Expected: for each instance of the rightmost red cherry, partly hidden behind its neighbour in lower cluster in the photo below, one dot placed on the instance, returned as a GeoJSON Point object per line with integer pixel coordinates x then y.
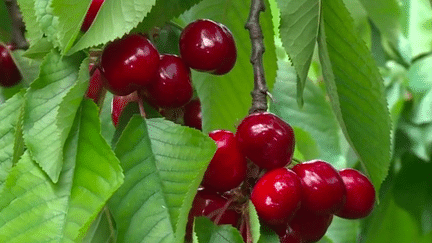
{"type": "Point", "coordinates": [360, 195]}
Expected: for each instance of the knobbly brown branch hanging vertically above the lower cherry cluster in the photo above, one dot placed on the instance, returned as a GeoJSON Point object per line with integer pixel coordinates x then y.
{"type": "Point", "coordinates": [259, 94]}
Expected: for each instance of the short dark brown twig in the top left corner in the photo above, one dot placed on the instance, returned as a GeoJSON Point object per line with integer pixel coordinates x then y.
{"type": "Point", "coordinates": [18, 27]}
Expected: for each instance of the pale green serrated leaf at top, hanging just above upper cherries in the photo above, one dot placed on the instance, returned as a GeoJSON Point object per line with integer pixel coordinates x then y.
{"type": "Point", "coordinates": [115, 18]}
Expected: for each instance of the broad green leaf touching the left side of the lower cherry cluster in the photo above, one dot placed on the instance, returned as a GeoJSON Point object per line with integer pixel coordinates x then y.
{"type": "Point", "coordinates": [164, 164]}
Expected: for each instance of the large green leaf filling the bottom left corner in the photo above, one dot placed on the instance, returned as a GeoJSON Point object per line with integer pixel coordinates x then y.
{"type": "Point", "coordinates": [33, 209]}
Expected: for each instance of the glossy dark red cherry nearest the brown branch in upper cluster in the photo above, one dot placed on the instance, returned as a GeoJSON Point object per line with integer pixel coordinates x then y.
{"type": "Point", "coordinates": [208, 46]}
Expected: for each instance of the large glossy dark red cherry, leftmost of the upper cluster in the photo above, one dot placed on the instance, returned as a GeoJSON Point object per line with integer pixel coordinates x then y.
{"type": "Point", "coordinates": [129, 64]}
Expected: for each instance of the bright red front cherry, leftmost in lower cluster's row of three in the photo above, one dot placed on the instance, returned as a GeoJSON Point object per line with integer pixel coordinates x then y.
{"type": "Point", "coordinates": [277, 196]}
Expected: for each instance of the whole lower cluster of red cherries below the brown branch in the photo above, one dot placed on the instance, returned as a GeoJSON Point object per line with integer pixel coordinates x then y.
{"type": "Point", "coordinates": [298, 202]}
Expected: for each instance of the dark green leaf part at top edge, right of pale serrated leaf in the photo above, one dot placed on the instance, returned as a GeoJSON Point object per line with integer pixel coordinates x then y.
{"type": "Point", "coordinates": [163, 11]}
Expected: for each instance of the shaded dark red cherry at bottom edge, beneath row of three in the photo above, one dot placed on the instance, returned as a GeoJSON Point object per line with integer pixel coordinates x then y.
{"type": "Point", "coordinates": [311, 227]}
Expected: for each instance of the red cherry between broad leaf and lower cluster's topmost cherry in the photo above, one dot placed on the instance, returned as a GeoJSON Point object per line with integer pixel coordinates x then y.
{"type": "Point", "coordinates": [227, 169]}
